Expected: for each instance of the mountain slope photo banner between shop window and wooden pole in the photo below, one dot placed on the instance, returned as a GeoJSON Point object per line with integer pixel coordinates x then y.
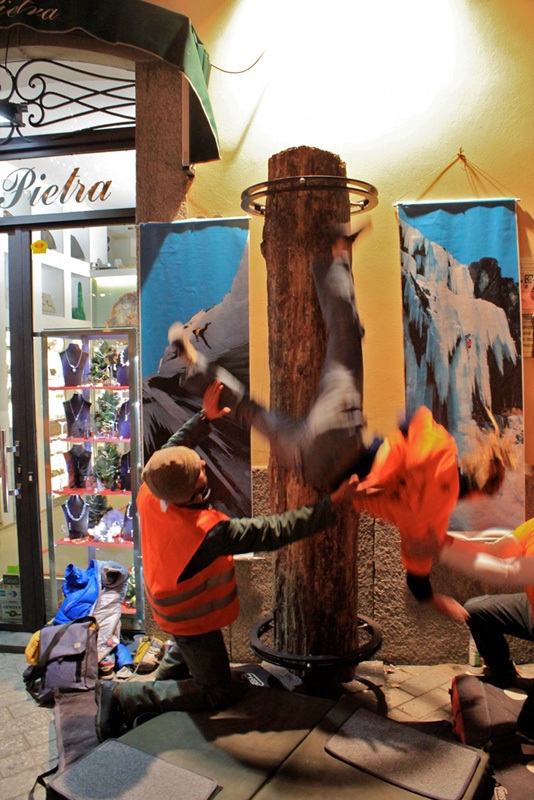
{"type": "Point", "coordinates": [196, 272]}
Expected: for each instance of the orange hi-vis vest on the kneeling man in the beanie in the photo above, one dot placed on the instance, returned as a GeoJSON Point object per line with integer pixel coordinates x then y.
{"type": "Point", "coordinates": [169, 539]}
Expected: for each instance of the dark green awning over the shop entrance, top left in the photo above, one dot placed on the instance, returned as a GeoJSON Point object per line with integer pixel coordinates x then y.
{"type": "Point", "coordinates": [143, 26]}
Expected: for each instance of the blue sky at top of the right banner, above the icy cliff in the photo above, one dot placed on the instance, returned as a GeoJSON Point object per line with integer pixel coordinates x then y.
{"type": "Point", "coordinates": [469, 230]}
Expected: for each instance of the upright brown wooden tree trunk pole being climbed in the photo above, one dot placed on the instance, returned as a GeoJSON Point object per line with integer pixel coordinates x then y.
{"type": "Point", "coordinates": [316, 592]}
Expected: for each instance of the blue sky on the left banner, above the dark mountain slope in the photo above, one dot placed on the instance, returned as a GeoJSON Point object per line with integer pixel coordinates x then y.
{"type": "Point", "coordinates": [185, 266]}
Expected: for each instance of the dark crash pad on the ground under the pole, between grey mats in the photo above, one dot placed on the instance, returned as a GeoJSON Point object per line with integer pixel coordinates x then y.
{"type": "Point", "coordinates": [271, 744]}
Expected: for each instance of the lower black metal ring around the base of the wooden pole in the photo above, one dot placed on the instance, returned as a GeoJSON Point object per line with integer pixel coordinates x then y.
{"type": "Point", "coordinates": [309, 662]}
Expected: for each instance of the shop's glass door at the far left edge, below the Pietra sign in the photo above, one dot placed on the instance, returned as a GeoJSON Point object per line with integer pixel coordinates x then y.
{"type": "Point", "coordinates": [22, 604]}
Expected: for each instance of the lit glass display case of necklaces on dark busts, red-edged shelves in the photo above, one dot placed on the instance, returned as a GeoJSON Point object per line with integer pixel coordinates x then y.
{"type": "Point", "coordinates": [92, 433]}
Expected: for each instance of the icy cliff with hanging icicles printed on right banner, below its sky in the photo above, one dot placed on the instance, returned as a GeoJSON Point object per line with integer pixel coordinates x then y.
{"type": "Point", "coordinates": [462, 354]}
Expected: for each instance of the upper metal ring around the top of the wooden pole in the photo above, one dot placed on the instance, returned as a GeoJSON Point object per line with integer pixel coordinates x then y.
{"type": "Point", "coordinates": [253, 199]}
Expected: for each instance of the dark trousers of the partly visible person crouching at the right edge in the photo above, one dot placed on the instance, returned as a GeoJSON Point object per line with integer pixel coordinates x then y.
{"type": "Point", "coordinates": [492, 618]}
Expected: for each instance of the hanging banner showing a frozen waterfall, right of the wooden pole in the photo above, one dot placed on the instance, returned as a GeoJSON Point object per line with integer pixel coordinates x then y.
{"type": "Point", "coordinates": [462, 333]}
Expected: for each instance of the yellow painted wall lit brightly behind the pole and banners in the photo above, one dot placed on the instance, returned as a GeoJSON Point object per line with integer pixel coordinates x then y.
{"type": "Point", "coordinates": [395, 88]}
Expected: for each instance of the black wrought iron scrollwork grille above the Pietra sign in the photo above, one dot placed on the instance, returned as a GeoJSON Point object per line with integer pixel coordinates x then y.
{"type": "Point", "coordinates": [58, 97]}
